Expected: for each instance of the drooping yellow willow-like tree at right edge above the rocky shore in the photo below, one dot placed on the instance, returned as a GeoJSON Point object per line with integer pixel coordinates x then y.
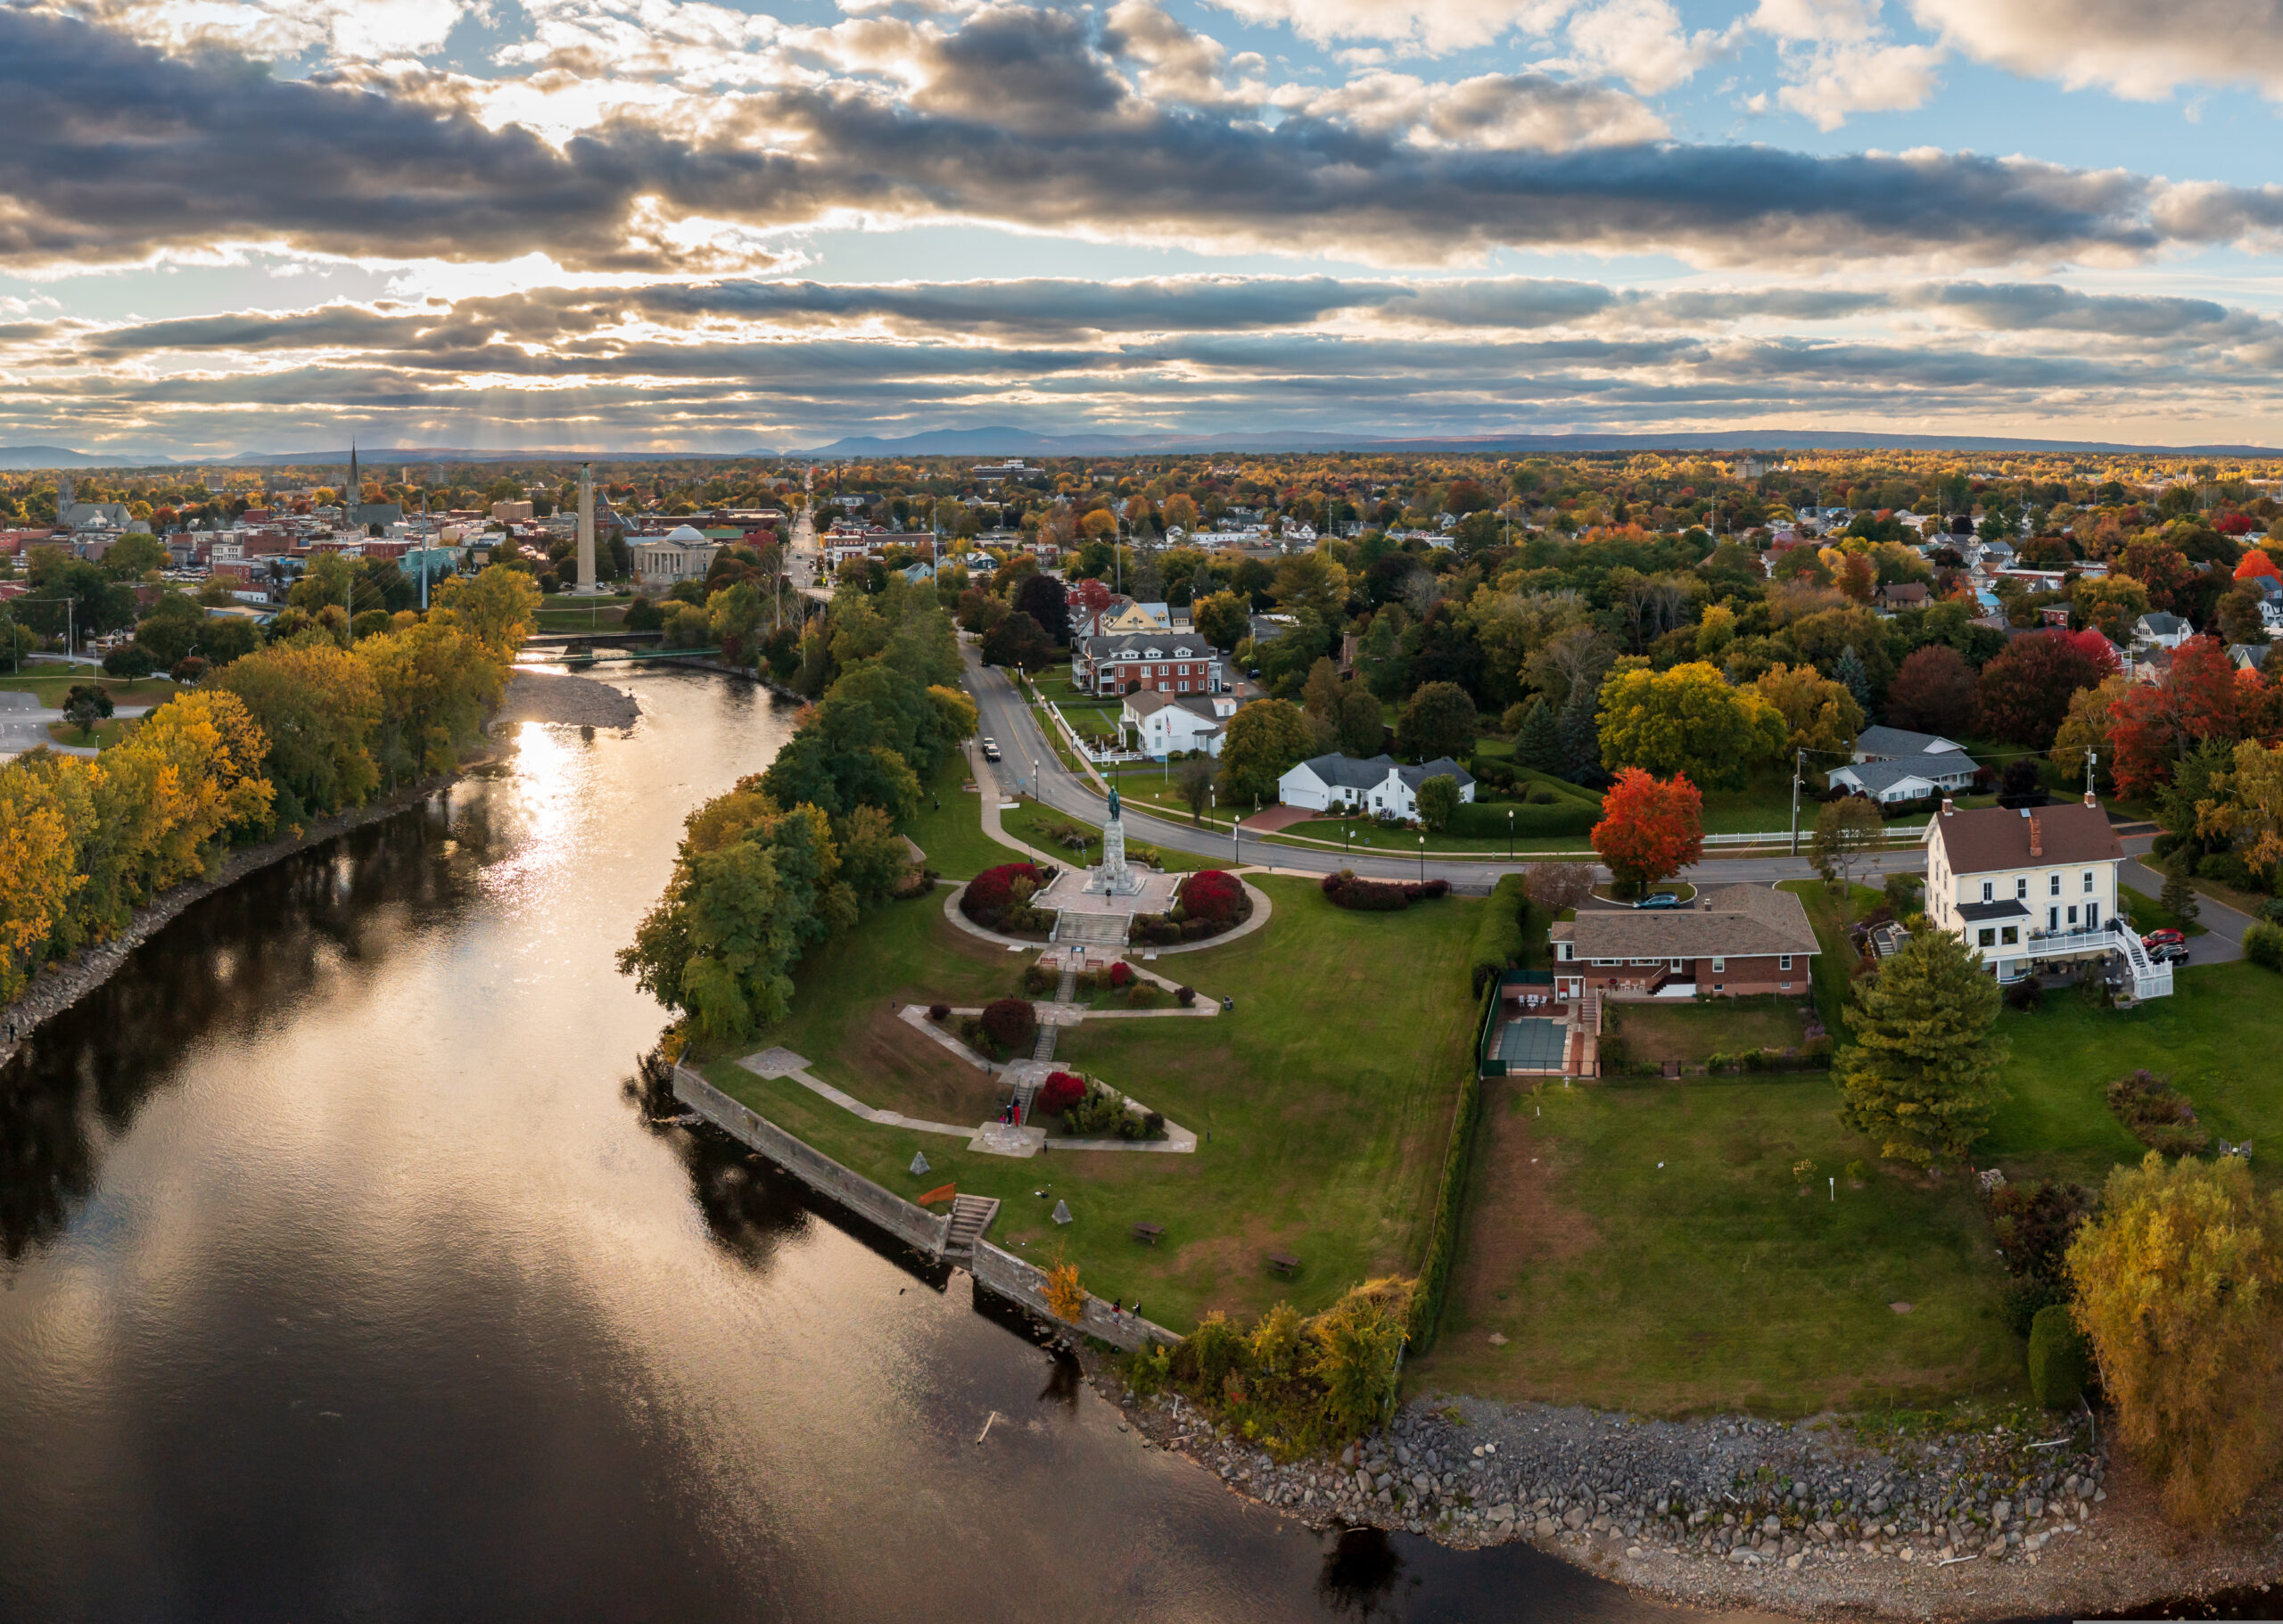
{"type": "Point", "coordinates": [2179, 1287]}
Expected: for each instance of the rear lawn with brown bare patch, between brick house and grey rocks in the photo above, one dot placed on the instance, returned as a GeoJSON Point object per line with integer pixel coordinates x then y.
{"type": "Point", "coordinates": [1711, 1283]}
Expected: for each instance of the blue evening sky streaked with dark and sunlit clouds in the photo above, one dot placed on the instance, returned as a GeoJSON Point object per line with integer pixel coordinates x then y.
{"type": "Point", "coordinates": [665, 225]}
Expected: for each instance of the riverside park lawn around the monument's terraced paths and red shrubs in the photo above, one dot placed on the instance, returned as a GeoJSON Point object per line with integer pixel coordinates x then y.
{"type": "Point", "coordinates": [1330, 1114]}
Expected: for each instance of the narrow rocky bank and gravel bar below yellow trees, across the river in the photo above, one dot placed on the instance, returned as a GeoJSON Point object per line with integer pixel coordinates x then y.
{"type": "Point", "coordinates": [531, 698]}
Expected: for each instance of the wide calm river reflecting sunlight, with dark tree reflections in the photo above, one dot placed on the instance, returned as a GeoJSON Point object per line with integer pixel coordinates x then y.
{"type": "Point", "coordinates": [346, 1280]}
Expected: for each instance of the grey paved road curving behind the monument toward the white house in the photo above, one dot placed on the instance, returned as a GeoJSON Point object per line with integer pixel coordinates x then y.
{"type": "Point", "coordinates": [1008, 721]}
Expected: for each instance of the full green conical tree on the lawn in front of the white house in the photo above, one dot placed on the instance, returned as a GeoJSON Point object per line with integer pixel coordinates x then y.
{"type": "Point", "coordinates": [1921, 1077]}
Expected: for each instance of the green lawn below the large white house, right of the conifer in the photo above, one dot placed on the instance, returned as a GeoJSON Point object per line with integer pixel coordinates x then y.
{"type": "Point", "coordinates": [2218, 1038]}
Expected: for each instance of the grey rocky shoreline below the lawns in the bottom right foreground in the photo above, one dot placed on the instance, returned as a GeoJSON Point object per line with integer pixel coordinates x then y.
{"type": "Point", "coordinates": [1812, 1518]}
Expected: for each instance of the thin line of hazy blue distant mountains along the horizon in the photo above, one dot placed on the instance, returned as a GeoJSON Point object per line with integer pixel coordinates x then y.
{"type": "Point", "coordinates": [1017, 442]}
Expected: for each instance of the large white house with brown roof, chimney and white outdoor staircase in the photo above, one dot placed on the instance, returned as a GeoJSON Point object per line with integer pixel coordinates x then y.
{"type": "Point", "coordinates": [2035, 885]}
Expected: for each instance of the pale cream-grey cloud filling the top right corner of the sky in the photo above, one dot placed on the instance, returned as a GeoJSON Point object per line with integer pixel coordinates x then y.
{"type": "Point", "coordinates": [2138, 49]}
